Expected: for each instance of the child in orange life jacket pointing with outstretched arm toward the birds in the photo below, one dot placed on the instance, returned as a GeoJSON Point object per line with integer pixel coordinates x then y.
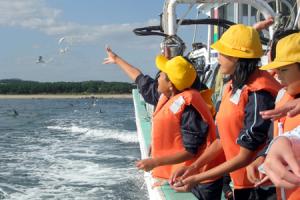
{"type": "Point", "coordinates": [182, 125]}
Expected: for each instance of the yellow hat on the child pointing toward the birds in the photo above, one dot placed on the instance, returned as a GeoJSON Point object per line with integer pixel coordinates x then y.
{"type": "Point", "coordinates": [180, 72]}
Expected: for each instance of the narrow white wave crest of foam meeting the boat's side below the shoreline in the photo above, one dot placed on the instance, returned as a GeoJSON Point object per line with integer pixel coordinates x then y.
{"type": "Point", "coordinates": [121, 135]}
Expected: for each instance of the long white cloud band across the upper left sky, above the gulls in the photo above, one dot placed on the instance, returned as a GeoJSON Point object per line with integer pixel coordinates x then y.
{"type": "Point", "coordinates": [34, 14]}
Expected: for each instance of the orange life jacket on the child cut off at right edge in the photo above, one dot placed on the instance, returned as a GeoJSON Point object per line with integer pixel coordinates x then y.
{"type": "Point", "coordinates": [281, 126]}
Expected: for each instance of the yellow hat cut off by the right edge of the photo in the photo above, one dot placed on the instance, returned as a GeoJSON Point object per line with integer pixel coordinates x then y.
{"type": "Point", "coordinates": [287, 52]}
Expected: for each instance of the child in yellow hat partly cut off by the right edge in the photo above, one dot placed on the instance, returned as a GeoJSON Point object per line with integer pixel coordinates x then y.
{"type": "Point", "coordinates": [287, 64]}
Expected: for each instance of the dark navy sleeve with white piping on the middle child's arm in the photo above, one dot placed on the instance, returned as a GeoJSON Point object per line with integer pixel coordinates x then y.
{"type": "Point", "coordinates": [255, 131]}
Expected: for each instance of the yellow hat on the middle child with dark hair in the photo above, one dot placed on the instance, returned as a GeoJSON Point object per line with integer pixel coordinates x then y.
{"type": "Point", "coordinates": [239, 41]}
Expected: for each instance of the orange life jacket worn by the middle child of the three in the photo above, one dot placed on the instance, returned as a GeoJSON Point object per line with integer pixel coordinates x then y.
{"type": "Point", "coordinates": [230, 119]}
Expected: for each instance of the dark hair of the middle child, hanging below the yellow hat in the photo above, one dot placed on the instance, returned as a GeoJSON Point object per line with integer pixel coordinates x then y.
{"type": "Point", "coordinates": [244, 69]}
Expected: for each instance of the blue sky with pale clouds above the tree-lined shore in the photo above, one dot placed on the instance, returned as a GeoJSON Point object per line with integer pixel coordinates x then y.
{"type": "Point", "coordinates": [33, 28]}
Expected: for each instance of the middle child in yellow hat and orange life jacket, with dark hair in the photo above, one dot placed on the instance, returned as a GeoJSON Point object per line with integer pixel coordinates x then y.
{"type": "Point", "coordinates": [241, 129]}
